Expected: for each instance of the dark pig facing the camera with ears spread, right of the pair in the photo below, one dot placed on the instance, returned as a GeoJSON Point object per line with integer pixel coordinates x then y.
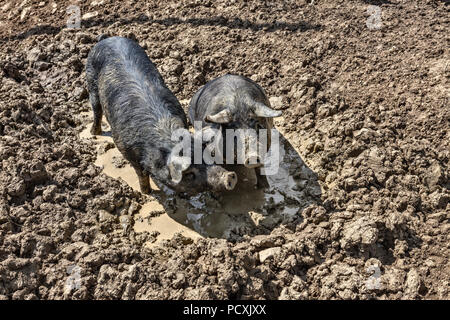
{"type": "Point", "coordinates": [235, 102]}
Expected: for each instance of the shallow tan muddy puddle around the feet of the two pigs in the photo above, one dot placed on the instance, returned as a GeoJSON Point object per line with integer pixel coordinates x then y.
{"type": "Point", "coordinates": [228, 215]}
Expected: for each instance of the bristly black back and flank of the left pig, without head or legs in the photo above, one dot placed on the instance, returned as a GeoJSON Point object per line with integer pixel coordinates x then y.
{"type": "Point", "coordinates": [138, 105]}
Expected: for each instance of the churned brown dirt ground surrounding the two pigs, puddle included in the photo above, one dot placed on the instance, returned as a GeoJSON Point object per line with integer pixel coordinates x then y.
{"type": "Point", "coordinates": [360, 209]}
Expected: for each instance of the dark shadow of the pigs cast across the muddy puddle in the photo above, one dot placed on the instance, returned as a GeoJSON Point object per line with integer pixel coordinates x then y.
{"type": "Point", "coordinates": [246, 211]}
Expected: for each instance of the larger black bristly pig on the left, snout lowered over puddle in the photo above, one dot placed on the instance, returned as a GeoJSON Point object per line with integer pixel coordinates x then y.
{"type": "Point", "coordinates": [143, 113]}
